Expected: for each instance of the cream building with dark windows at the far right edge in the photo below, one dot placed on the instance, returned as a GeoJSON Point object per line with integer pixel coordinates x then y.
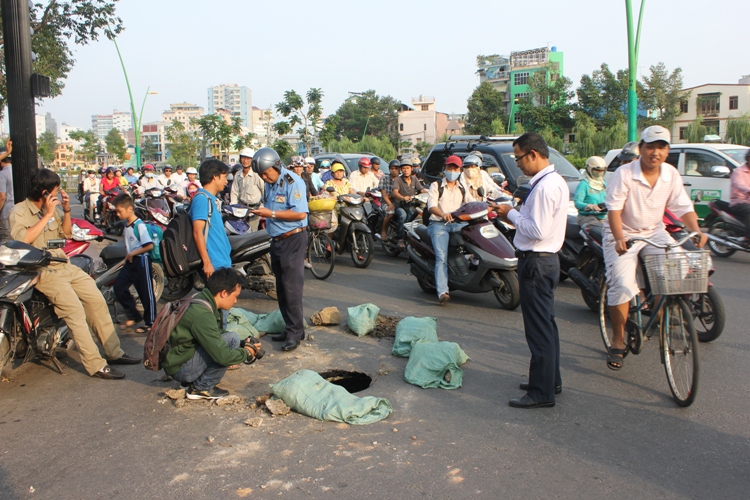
{"type": "Point", "coordinates": [715, 103]}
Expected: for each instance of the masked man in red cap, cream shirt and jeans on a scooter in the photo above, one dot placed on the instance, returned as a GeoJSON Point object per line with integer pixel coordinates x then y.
{"type": "Point", "coordinates": [444, 198]}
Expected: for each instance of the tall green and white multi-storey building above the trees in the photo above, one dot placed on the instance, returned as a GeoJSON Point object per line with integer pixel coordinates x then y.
{"type": "Point", "coordinates": [511, 74]}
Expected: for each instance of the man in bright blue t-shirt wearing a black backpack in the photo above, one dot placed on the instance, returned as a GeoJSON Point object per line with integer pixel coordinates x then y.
{"type": "Point", "coordinates": [205, 211]}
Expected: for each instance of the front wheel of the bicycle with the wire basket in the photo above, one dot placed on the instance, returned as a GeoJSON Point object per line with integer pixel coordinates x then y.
{"type": "Point", "coordinates": [680, 351]}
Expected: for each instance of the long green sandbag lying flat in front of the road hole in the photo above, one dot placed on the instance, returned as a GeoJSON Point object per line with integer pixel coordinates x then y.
{"type": "Point", "coordinates": [308, 393]}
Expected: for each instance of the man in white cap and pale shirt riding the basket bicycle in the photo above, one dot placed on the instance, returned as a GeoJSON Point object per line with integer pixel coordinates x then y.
{"type": "Point", "coordinates": [637, 196]}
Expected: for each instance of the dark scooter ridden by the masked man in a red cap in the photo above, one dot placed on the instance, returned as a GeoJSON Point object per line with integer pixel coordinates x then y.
{"type": "Point", "coordinates": [480, 259]}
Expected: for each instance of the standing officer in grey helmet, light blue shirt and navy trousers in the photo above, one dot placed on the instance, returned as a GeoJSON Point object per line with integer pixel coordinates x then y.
{"type": "Point", "coordinates": [285, 210]}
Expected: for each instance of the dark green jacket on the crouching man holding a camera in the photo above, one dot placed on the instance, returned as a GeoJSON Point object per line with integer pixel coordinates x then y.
{"type": "Point", "coordinates": [200, 327]}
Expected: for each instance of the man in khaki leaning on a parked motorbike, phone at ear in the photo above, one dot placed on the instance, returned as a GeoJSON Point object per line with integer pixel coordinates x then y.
{"type": "Point", "coordinates": [39, 219]}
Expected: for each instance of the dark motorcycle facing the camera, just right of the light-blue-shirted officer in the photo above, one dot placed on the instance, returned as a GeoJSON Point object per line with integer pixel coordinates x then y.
{"type": "Point", "coordinates": [352, 234]}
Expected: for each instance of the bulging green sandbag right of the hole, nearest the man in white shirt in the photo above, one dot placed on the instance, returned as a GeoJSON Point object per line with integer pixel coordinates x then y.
{"type": "Point", "coordinates": [430, 361]}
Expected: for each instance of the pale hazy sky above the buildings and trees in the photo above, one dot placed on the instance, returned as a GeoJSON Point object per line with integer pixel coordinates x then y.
{"type": "Point", "coordinates": [402, 48]}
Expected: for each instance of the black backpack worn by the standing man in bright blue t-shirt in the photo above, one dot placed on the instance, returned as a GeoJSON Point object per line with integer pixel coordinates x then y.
{"type": "Point", "coordinates": [178, 250]}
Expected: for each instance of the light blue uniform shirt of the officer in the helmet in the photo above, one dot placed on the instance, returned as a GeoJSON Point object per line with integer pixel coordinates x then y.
{"type": "Point", "coordinates": [287, 193]}
